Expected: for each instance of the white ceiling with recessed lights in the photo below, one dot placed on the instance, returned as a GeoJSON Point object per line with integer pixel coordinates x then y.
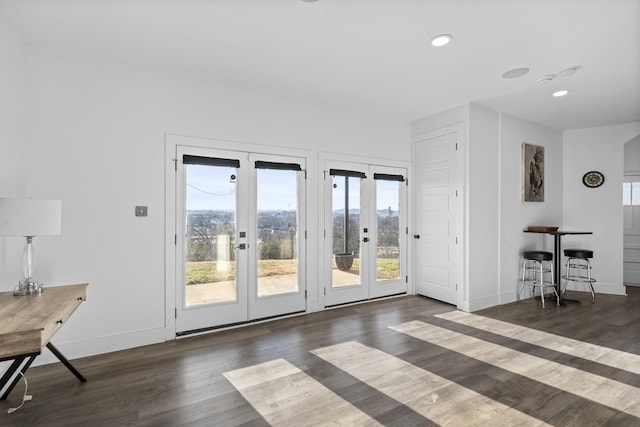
{"type": "Point", "coordinates": [371, 56]}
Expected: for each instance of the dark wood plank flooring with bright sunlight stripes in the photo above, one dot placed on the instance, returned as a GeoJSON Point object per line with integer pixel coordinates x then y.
{"type": "Point", "coordinates": [407, 361]}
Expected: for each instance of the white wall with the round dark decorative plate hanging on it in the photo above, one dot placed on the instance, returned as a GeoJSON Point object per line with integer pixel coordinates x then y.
{"type": "Point", "coordinates": [600, 209]}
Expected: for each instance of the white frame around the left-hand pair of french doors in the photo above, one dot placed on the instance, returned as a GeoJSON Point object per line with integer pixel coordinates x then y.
{"type": "Point", "coordinates": [172, 141]}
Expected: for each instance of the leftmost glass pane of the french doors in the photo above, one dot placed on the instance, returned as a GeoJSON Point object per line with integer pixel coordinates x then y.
{"type": "Point", "coordinates": [210, 201]}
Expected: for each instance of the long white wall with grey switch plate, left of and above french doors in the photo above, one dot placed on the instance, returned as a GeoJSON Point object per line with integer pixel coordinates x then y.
{"type": "Point", "coordinates": [96, 140]}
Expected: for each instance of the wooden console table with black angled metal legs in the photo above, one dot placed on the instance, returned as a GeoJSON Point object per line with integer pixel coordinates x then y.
{"type": "Point", "coordinates": [27, 323]}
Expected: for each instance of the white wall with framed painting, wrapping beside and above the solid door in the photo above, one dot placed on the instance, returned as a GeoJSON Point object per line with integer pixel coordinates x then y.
{"type": "Point", "coordinates": [495, 213]}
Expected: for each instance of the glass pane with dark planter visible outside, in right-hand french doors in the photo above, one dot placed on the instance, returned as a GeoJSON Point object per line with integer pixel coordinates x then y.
{"type": "Point", "coordinates": [346, 225]}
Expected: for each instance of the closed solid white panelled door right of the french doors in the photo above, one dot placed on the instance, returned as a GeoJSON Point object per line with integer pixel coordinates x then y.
{"type": "Point", "coordinates": [438, 217]}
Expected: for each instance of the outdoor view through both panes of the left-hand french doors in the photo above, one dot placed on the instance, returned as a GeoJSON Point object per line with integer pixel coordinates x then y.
{"type": "Point", "coordinates": [210, 270]}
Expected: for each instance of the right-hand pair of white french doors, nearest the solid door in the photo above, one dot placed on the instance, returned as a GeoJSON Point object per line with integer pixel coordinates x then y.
{"type": "Point", "coordinates": [365, 232]}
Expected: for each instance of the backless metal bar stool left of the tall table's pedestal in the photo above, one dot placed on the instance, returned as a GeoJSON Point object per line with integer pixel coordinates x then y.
{"type": "Point", "coordinates": [537, 272]}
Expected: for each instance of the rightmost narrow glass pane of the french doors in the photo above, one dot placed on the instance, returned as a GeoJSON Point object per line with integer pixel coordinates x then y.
{"type": "Point", "coordinates": [388, 229]}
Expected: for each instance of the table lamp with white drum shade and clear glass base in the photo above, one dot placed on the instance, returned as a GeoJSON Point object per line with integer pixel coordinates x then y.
{"type": "Point", "coordinates": [29, 218]}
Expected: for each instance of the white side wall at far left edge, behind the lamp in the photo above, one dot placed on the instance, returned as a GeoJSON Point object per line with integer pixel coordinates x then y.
{"type": "Point", "coordinates": [13, 168]}
